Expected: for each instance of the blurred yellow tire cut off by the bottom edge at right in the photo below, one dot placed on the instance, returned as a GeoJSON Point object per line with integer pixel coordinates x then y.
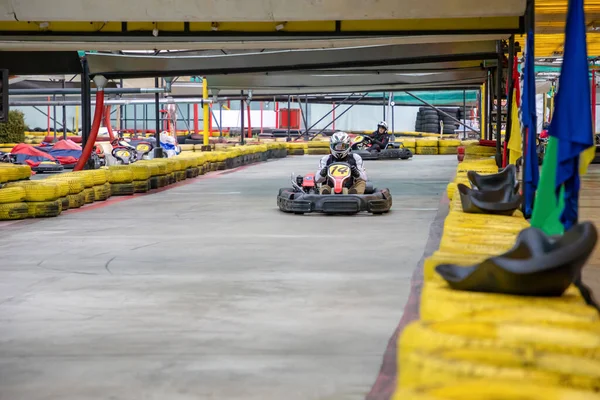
{"type": "Point", "coordinates": [487, 389]}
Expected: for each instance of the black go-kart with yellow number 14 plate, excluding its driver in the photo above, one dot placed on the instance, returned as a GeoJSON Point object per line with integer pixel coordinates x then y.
{"type": "Point", "coordinates": [305, 197]}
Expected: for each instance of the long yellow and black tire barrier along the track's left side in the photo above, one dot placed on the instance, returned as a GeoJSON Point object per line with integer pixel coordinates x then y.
{"type": "Point", "coordinates": [22, 198]}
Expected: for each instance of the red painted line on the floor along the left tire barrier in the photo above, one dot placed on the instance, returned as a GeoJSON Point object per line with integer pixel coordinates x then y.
{"type": "Point", "coordinates": [115, 200]}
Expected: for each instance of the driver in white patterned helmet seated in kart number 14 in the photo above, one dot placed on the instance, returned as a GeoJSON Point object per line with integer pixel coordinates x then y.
{"type": "Point", "coordinates": [340, 152]}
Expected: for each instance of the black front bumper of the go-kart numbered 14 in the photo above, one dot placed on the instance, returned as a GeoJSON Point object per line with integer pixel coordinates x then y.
{"type": "Point", "coordinates": [296, 202]}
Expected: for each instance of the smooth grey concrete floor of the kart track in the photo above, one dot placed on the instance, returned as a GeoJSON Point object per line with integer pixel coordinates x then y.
{"type": "Point", "coordinates": [207, 291]}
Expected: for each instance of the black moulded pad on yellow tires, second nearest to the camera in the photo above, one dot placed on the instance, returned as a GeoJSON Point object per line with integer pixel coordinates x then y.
{"type": "Point", "coordinates": [503, 201]}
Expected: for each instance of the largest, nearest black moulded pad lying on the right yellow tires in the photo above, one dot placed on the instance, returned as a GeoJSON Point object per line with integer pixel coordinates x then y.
{"type": "Point", "coordinates": [537, 265]}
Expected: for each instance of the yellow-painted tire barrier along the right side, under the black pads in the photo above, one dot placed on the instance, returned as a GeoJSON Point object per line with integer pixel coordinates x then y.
{"type": "Point", "coordinates": [478, 345]}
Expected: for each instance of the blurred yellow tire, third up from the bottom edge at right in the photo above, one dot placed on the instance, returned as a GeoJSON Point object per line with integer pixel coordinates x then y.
{"type": "Point", "coordinates": [583, 341]}
